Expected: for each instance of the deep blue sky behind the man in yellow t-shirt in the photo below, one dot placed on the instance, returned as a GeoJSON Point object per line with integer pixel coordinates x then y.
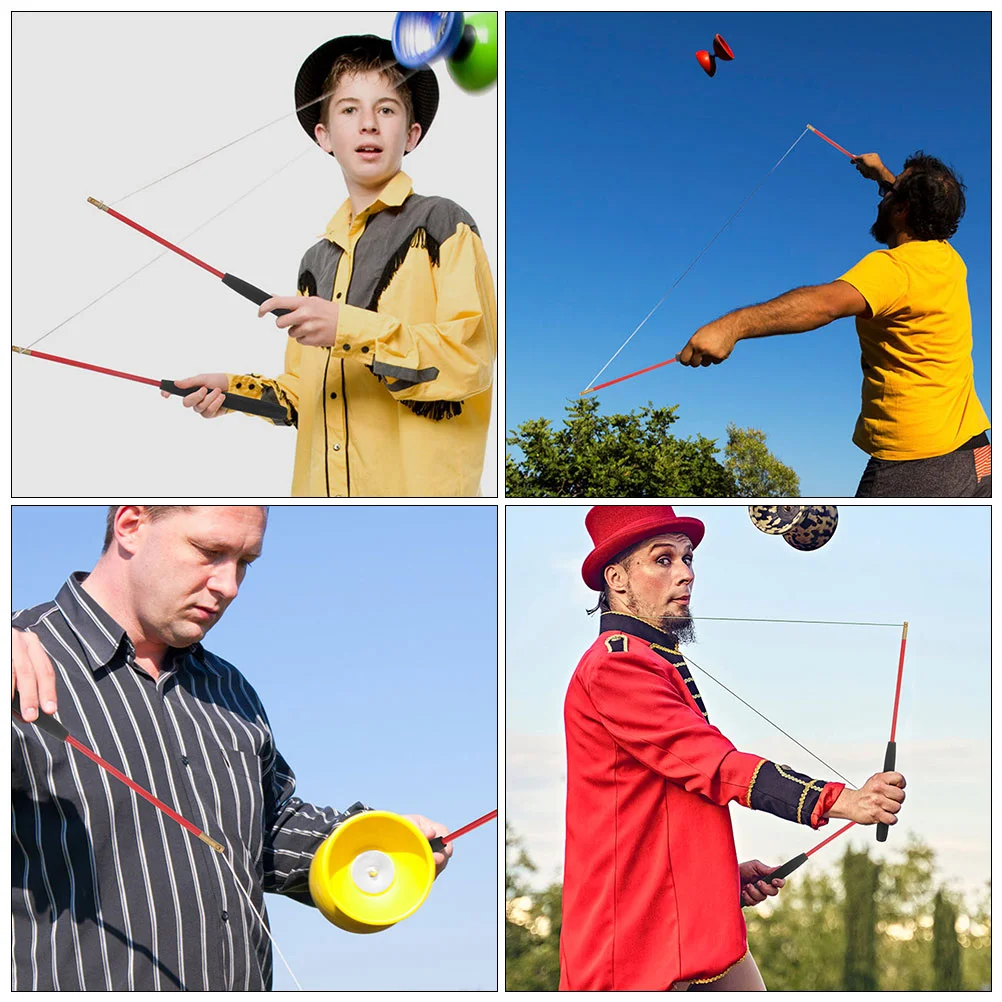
{"type": "Point", "coordinates": [625, 159]}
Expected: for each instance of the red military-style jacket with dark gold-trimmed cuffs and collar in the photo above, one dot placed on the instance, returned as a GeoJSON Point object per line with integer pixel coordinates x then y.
{"type": "Point", "coordinates": [652, 891]}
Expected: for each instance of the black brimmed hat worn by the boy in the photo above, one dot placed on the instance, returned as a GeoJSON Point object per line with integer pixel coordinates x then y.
{"type": "Point", "coordinates": [314, 73]}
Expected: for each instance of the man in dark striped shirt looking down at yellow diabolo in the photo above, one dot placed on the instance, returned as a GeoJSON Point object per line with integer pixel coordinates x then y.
{"type": "Point", "coordinates": [108, 893]}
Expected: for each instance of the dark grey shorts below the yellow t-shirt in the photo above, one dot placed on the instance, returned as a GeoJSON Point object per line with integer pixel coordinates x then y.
{"type": "Point", "coordinates": [964, 473]}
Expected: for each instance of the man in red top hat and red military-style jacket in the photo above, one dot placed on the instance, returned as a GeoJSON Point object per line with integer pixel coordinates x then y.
{"type": "Point", "coordinates": [653, 889]}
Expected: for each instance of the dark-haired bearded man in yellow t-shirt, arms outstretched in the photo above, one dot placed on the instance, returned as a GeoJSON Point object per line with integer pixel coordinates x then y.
{"type": "Point", "coordinates": [921, 421]}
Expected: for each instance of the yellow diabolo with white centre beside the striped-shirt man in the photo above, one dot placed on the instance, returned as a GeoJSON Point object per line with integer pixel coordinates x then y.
{"type": "Point", "coordinates": [372, 872]}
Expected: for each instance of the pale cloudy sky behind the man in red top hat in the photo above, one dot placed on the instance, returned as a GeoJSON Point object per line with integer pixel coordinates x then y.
{"type": "Point", "coordinates": [832, 688]}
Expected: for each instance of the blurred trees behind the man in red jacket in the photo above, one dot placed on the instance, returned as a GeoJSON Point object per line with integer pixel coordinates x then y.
{"type": "Point", "coordinates": [865, 925]}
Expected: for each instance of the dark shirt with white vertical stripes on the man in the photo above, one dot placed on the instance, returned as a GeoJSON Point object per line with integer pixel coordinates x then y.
{"type": "Point", "coordinates": [108, 892]}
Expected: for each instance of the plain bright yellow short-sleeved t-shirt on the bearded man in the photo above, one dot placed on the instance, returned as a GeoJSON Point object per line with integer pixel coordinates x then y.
{"type": "Point", "coordinates": [918, 374]}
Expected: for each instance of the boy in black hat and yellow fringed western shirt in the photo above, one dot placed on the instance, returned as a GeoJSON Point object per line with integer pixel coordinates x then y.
{"type": "Point", "coordinates": [390, 362]}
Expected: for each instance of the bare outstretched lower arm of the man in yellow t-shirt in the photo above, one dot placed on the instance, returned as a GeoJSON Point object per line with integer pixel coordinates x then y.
{"type": "Point", "coordinates": [800, 310]}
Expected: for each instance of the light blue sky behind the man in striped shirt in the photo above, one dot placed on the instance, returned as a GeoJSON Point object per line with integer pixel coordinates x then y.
{"type": "Point", "coordinates": [347, 607]}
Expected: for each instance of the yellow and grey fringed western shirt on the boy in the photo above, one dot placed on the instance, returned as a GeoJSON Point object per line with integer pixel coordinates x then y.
{"type": "Point", "coordinates": [401, 404]}
